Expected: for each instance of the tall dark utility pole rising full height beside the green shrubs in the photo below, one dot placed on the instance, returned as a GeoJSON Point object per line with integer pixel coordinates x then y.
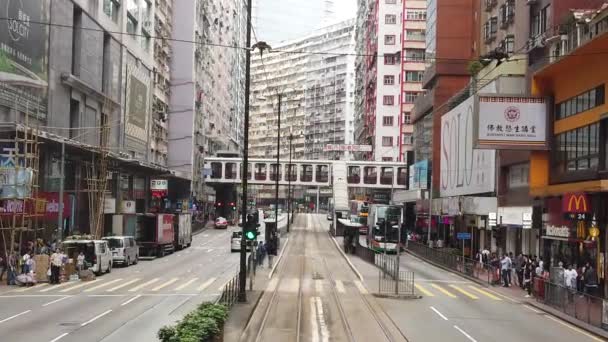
{"type": "Point", "coordinates": [243, 267]}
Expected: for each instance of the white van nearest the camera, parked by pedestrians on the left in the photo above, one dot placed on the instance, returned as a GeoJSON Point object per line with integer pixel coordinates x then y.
{"type": "Point", "coordinates": [97, 255]}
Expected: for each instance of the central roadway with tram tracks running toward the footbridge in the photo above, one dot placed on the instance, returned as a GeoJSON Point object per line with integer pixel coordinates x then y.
{"type": "Point", "coordinates": [315, 296]}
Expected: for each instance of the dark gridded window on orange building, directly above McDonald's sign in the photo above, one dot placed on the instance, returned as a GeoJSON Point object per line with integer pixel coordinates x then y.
{"type": "Point", "coordinates": [578, 149]}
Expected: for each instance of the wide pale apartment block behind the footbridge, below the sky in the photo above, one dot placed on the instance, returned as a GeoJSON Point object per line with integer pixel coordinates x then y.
{"type": "Point", "coordinates": [315, 76]}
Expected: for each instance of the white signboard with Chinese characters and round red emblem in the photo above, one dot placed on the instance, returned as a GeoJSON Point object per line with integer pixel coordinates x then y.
{"type": "Point", "coordinates": [508, 122]}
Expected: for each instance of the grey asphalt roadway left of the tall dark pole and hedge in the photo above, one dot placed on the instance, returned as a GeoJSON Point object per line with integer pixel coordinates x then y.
{"type": "Point", "coordinates": [127, 304]}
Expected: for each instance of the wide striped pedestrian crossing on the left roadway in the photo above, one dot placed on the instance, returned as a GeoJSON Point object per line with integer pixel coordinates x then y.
{"type": "Point", "coordinates": [110, 286]}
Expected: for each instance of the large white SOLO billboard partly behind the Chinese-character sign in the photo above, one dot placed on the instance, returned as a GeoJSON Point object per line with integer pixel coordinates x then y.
{"type": "Point", "coordinates": [464, 170]}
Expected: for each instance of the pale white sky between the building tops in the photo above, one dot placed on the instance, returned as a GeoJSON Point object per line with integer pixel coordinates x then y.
{"type": "Point", "coordinates": [279, 20]}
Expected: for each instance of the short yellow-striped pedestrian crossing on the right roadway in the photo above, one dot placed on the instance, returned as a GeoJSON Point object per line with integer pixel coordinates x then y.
{"type": "Point", "coordinates": [454, 291]}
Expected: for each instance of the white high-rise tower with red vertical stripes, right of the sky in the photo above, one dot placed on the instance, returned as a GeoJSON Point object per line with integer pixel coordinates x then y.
{"type": "Point", "coordinates": [390, 40]}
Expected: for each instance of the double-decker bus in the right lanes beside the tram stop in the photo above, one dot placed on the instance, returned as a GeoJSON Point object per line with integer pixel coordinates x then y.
{"type": "Point", "coordinates": [384, 222]}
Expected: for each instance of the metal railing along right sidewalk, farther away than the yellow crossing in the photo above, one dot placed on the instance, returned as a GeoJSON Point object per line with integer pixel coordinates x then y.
{"type": "Point", "coordinates": [457, 263]}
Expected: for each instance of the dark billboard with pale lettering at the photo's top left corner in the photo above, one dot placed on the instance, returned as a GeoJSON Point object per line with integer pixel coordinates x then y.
{"type": "Point", "coordinates": [24, 55]}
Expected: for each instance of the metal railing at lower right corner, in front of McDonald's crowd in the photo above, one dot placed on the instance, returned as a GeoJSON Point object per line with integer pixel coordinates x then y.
{"type": "Point", "coordinates": [582, 306]}
